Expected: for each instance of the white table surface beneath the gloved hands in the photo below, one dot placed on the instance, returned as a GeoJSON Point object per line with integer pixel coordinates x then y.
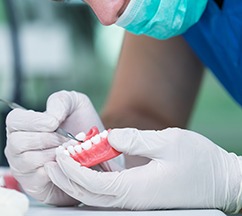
{"type": "Point", "coordinates": [42, 210]}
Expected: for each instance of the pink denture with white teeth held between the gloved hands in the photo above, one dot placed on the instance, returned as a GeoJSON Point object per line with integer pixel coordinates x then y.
{"type": "Point", "coordinates": [93, 150]}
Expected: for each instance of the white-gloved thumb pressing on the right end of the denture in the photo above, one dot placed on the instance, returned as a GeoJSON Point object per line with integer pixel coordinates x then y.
{"type": "Point", "coordinates": [146, 143]}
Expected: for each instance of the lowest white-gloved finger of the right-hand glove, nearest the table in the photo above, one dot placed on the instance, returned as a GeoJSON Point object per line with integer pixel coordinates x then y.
{"type": "Point", "coordinates": [76, 191]}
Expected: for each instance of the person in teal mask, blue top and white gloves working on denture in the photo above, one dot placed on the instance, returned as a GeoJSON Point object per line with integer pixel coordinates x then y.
{"type": "Point", "coordinates": [167, 45]}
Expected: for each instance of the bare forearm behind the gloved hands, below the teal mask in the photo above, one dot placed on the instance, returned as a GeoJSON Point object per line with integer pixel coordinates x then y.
{"type": "Point", "coordinates": [155, 85]}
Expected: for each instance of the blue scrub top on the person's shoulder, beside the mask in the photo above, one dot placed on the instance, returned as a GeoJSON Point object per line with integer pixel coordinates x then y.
{"type": "Point", "coordinates": [217, 41]}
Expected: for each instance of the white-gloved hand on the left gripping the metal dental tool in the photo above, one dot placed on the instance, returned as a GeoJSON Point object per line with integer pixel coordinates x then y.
{"type": "Point", "coordinates": [31, 141]}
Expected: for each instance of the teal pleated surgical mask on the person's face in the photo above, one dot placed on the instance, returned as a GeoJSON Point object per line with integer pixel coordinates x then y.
{"type": "Point", "coordinates": [161, 19]}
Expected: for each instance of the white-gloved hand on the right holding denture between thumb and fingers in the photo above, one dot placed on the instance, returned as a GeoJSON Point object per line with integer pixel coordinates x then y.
{"type": "Point", "coordinates": [186, 171]}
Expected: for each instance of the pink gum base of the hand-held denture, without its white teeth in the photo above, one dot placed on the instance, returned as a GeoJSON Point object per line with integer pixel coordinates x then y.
{"type": "Point", "coordinates": [98, 153]}
